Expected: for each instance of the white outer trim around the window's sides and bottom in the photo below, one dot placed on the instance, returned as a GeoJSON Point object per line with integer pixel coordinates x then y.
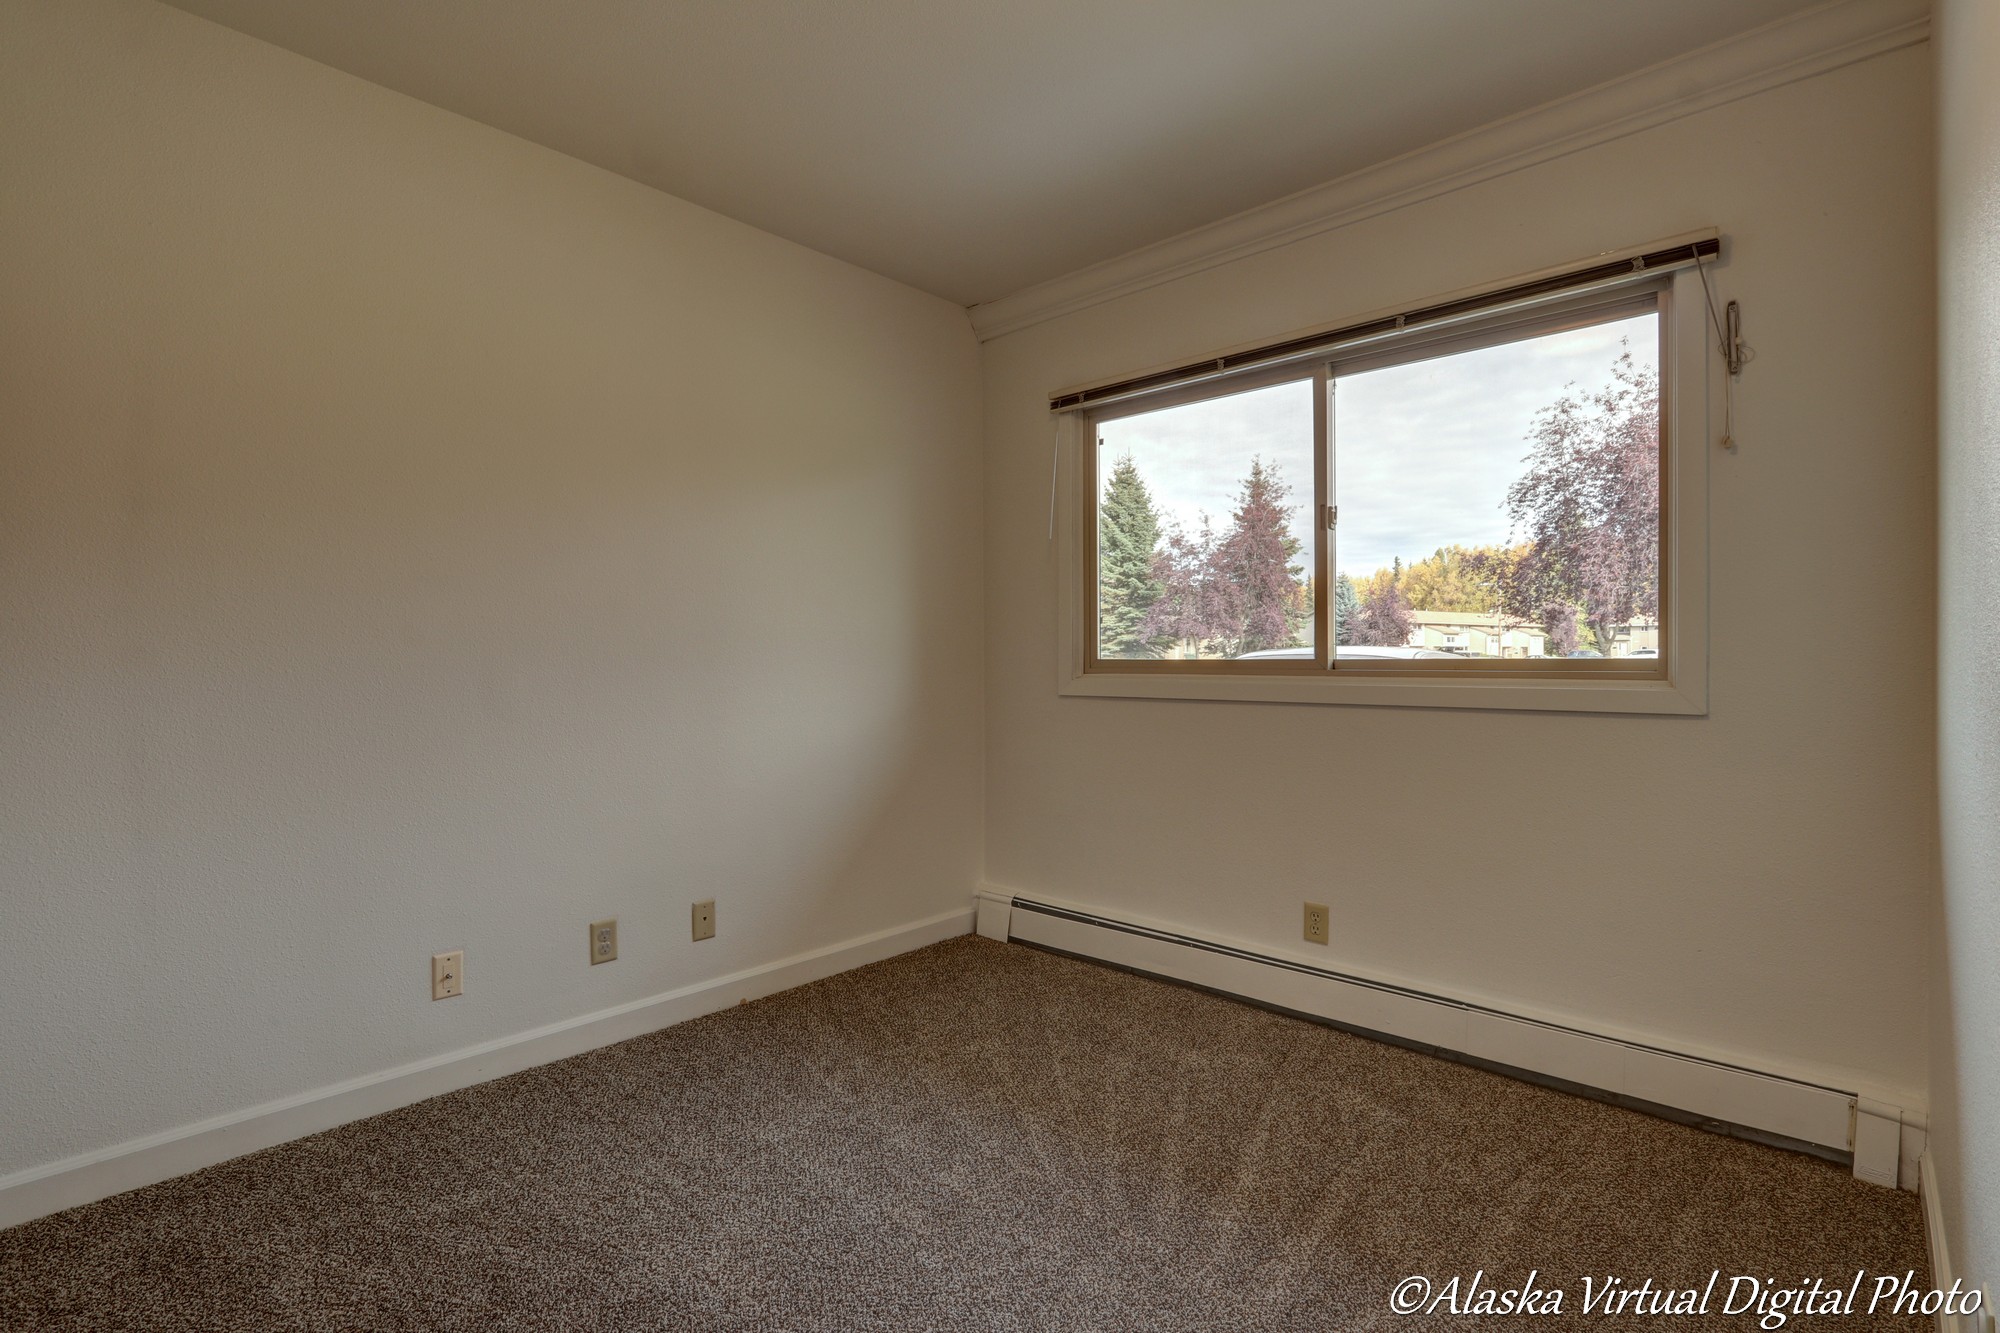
{"type": "Point", "coordinates": [1689, 433]}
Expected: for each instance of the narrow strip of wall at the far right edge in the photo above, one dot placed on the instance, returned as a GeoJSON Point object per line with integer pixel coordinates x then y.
{"type": "Point", "coordinates": [1965, 1006]}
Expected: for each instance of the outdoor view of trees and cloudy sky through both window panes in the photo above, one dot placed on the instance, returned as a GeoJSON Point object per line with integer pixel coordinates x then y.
{"type": "Point", "coordinates": [1497, 503]}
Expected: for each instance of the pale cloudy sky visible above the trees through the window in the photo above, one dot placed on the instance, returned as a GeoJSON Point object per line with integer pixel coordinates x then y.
{"type": "Point", "coordinates": [1423, 451]}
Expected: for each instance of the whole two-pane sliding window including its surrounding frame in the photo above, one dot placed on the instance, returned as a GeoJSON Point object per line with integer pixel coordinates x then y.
{"type": "Point", "coordinates": [1489, 503]}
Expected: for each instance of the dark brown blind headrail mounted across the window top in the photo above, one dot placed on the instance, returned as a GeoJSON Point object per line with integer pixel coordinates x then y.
{"type": "Point", "coordinates": [1295, 349]}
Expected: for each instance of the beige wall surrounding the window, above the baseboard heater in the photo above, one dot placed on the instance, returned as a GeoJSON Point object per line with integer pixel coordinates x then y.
{"type": "Point", "coordinates": [1751, 884]}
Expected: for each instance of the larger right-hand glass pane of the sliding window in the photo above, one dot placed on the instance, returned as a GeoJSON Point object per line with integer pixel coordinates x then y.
{"type": "Point", "coordinates": [1503, 503]}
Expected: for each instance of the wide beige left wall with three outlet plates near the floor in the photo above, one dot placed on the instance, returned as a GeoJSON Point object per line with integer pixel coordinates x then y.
{"type": "Point", "coordinates": [413, 539]}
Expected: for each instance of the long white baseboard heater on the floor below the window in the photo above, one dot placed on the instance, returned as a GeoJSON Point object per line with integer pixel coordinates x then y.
{"type": "Point", "coordinates": [1809, 1118]}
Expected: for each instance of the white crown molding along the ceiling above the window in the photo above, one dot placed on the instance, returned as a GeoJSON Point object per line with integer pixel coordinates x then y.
{"type": "Point", "coordinates": [1787, 51]}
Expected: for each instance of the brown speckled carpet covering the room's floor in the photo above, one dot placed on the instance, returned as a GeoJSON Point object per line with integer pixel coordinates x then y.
{"type": "Point", "coordinates": [967, 1138]}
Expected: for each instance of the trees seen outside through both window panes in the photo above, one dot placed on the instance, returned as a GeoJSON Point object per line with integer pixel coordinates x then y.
{"type": "Point", "coordinates": [1585, 555]}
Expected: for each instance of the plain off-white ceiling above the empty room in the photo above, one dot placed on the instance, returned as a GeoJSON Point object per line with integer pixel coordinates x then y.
{"type": "Point", "coordinates": [977, 147]}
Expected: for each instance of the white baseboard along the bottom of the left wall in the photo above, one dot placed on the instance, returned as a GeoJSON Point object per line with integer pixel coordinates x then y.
{"type": "Point", "coordinates": [175, 1152]}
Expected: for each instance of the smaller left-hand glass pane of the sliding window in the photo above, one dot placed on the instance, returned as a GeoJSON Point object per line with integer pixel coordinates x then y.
{"type": "Point", "coordinates": [1205, 529]}
